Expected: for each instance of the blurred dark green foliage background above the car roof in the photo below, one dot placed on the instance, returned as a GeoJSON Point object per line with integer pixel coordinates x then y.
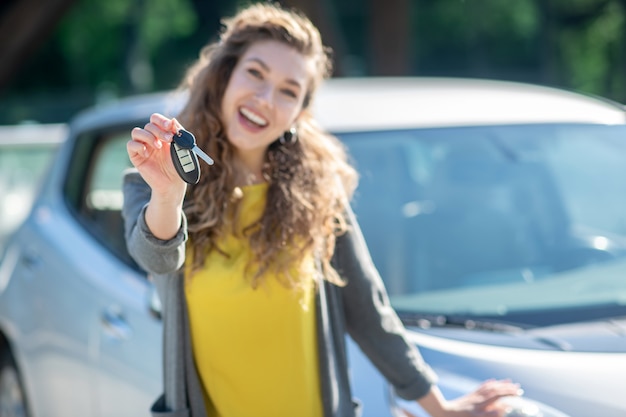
{"type": "Point", "coordinates": [104, 49]}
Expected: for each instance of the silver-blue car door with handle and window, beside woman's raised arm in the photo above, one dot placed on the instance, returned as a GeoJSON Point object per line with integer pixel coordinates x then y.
{"type": "Point", "coordinates": [126, 337]}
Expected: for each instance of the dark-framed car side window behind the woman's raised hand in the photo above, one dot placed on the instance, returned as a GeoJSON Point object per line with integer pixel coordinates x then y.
{"type": "Point", "coordinates": [93, 187]}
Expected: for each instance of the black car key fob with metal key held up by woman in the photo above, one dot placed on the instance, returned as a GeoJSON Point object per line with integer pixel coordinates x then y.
{"type": "Point", "coordinates": [183, 151]}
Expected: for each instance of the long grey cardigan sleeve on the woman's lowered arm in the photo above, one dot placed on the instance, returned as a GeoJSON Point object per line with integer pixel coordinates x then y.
{"type": "Point", "coordinates": [371, 320]}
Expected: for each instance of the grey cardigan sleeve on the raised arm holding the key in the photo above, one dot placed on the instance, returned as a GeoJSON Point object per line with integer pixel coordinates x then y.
{"type": "Point", "coordinates": [154, 255]}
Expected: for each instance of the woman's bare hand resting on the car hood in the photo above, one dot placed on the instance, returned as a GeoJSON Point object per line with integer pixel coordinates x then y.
{"type": "Point", "coordinates": [482, 402]}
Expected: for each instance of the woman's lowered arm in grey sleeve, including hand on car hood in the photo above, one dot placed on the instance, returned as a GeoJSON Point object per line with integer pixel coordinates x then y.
{"type": "Point", "coordinates": [375, 327]}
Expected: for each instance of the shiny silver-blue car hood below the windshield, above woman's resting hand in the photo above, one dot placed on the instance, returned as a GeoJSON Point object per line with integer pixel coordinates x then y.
{"type": "Point", "coordinates": [579, 369]}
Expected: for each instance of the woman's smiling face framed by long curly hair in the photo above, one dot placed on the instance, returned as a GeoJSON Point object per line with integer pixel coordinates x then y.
{"type": "Point", "coordinates": [264, 97]}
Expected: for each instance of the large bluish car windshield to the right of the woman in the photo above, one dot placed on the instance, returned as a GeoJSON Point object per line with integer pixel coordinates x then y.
{"type": "Point", "coordinates": [522, 223]}
